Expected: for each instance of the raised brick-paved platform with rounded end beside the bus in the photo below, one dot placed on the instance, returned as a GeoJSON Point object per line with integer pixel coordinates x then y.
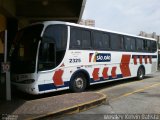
{"type": "Point", "coordinates": [51, 106]}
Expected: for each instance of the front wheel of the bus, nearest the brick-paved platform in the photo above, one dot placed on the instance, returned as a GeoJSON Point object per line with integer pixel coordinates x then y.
{"type": "Point", "coordinates": [78, 83]}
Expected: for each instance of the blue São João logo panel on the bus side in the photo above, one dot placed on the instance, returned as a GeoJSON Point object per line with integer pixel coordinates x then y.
{"type": "Point", "coordinates": [100, 57]}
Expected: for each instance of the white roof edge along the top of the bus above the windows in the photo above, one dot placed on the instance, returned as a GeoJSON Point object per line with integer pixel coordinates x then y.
{"type": "Point", "coordinates": [92, 28]}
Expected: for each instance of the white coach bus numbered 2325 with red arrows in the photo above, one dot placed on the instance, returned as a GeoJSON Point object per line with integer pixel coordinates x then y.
{"type": "Point", "coordinates": [53, 55]}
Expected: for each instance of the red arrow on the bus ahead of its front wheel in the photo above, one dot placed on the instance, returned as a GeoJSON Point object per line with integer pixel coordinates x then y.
{"type": "Point", "coordinates": [57, 78]}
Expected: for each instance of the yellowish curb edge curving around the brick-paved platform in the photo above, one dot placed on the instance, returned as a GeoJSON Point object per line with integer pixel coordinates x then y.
{"type": "Point", "coordinates": [74, 109]}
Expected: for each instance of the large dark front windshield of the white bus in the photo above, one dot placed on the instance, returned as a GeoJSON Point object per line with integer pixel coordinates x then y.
{"type": "Point", "coordinates": [25, 49]}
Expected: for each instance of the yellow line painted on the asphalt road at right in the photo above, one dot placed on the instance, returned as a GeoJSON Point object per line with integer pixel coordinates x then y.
{"type": "Point", "coordinates": [136, 91]}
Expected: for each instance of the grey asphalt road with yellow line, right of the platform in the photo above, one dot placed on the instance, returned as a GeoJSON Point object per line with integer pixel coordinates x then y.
{"type": "Point", "coordinates": [125, 98]}
